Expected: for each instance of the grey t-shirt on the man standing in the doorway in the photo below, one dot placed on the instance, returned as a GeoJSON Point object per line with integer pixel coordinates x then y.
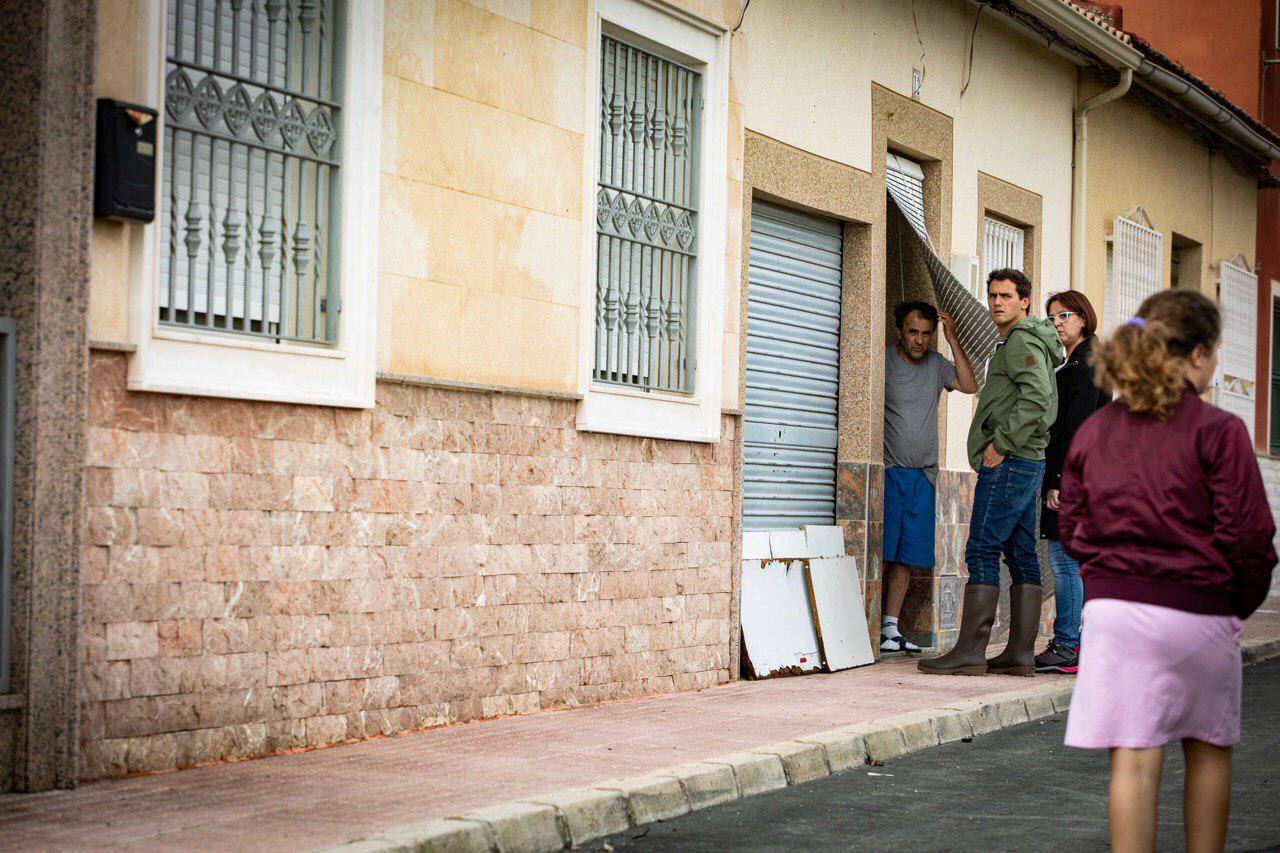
{"type": "Point", "coordinates": [912, 409]}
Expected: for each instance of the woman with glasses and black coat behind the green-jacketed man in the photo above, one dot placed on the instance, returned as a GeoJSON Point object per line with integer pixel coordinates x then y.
{"type": "Point", "coordinates": [1078, 398]}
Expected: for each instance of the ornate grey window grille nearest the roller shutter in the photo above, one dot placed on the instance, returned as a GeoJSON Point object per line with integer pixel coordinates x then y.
{"type": "Point", "coordinates": [647, 220]}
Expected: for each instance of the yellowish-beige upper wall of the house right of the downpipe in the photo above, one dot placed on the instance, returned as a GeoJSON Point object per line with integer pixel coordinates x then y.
{"type": "Point", "coordinates": [1140, 159]}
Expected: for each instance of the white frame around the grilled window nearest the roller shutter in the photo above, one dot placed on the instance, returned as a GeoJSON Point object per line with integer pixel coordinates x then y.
{"type": "Point", "coordinates": [630, 412]}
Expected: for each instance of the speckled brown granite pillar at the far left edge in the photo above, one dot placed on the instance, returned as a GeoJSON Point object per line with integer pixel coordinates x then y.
{"type": "Point", "coordinates": [45, 213]}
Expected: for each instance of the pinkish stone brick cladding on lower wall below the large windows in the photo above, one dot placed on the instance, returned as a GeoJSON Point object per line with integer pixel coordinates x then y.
{"type": "Point", "coordinates": [264, 577]}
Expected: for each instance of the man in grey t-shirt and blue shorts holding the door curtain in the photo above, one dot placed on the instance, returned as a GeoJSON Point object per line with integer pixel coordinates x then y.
{"type": "Point", "coordinates": [915, 380]}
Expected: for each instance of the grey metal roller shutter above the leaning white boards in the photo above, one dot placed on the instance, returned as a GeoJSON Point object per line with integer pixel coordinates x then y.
{"type": "Point", "coordinates": [793, 370]}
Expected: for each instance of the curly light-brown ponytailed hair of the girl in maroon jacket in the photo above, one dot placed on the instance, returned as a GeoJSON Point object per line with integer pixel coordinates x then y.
{"type": "Point", "coordinates": [1145, 361]}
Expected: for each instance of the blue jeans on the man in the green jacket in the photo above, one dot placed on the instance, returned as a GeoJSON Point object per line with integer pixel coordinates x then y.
{"type": "Point", "coordinates": [1004, 522]}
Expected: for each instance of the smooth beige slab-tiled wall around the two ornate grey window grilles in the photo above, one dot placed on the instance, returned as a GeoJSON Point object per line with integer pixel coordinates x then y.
{"type": "Point", "coordinates": [481, 217]}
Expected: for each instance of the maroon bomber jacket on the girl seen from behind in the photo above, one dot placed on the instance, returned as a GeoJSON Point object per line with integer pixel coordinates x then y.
{"type": "Point", "coordinates": [1169, 513]}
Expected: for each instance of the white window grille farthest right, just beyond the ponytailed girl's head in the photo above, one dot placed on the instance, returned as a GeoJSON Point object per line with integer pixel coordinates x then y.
{"type": "Point", "coordinates": [1237, 390]}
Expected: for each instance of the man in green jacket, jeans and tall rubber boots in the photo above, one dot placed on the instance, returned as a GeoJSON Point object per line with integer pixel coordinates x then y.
{"type": "Point", "coordinates": [1007, 448]}
